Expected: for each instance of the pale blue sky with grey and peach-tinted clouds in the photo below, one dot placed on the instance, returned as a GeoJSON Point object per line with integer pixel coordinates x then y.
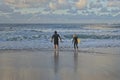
{"type": "Point", "coordinates": [59, 11]}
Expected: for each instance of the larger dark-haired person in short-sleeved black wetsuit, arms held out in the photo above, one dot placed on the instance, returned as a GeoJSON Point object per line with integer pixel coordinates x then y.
{"type": "Point", "coordinates": [55, 38]}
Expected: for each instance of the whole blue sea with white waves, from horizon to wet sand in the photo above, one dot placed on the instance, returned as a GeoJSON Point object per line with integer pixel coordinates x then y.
{"type": "Point", "coordinates": [38, 36]}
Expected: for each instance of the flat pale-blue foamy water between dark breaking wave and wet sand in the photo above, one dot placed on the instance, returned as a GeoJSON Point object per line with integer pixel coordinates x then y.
{"type": "Point", "coordinates": [39, 44]}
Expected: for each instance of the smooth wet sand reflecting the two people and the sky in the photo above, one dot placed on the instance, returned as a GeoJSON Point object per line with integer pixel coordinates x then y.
{"type": "Point", "coordinates": [86, 64]}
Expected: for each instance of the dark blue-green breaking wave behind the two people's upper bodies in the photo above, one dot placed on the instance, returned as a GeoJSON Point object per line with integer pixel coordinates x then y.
{"type": "Point", "coordinates": [48, 36]}
